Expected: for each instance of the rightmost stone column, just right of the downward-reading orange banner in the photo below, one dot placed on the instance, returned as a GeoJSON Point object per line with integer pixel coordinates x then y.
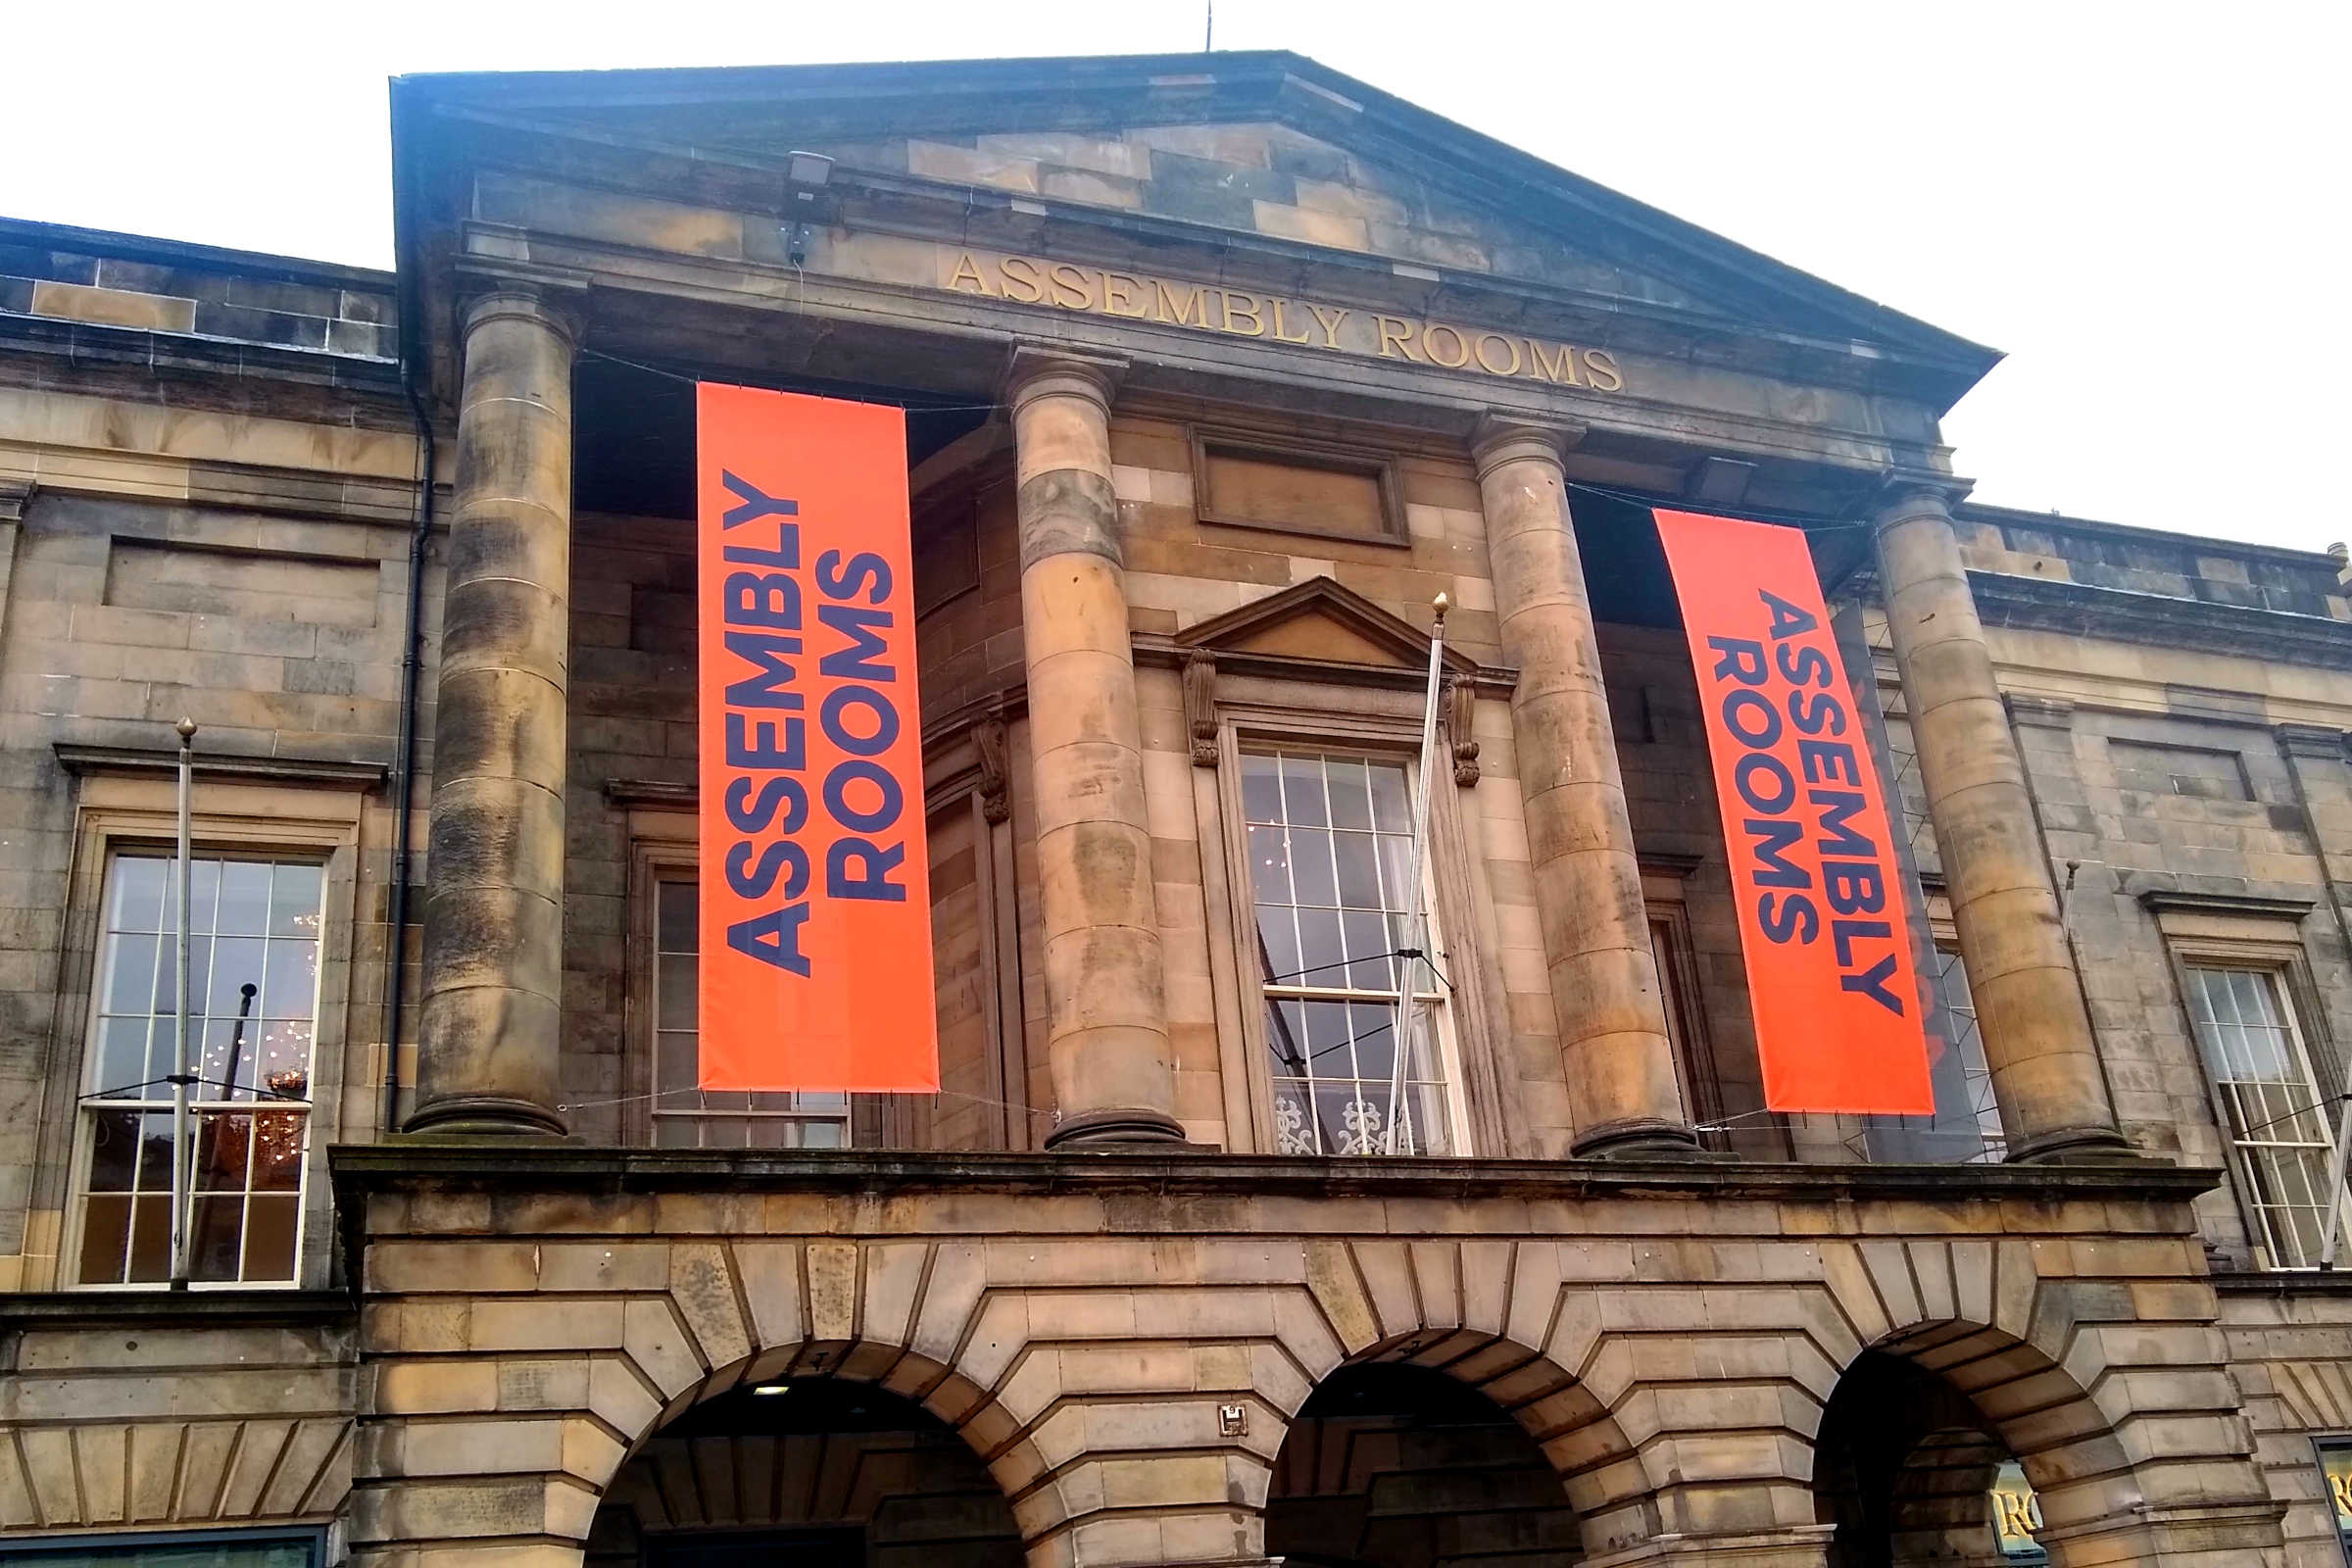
{"type": "Point", "coordinates": [2029, 1003]}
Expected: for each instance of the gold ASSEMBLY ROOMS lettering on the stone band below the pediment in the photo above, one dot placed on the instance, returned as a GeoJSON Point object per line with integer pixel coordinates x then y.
{"type": "Point", "coordinates": [1276, 319]}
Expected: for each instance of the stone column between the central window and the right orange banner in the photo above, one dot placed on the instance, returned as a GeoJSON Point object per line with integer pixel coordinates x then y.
{"type": "Point", "coordinates": [1589, 885]}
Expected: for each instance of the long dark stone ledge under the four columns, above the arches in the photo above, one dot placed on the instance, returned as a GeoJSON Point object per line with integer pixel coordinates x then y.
{"type": "Point", "coordinates": [425, 1162]}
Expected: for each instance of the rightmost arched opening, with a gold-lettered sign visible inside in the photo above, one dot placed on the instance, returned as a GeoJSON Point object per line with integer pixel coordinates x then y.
{"type": "Point", "coordinates": [1909, 1470]}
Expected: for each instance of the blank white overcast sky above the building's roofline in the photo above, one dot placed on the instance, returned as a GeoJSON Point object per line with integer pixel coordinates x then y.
{"type": "Point", "coordinates": [2141, 203]}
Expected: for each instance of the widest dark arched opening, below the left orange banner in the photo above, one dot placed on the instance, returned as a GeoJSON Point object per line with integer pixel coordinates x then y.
{"type": "Point", "coordinates": [822, 1473]}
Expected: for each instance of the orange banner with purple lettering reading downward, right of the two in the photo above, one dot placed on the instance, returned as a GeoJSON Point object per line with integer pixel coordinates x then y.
{"type": "Point", "coordinates": [1822, 899]}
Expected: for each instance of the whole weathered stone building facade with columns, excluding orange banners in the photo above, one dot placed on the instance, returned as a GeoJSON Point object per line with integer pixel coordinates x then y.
{"type": "Point", "coordinates": [1220, 370]}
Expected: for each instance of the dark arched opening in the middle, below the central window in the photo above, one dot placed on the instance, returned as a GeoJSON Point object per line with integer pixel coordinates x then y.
{"type": "Point", "coordinates": [1396, 1466]}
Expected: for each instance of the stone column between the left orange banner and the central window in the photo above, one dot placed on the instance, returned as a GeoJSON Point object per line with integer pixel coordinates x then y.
{"type": "Point", "coordinates": [1095, 852]}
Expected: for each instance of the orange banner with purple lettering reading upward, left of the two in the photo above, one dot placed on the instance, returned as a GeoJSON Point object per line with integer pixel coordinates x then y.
{"type": "Point", "coordinates": [815, 887]}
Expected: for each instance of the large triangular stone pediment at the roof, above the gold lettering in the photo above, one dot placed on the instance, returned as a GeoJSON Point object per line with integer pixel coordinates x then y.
{"type": "Point", "coordinates": [1154, 149]}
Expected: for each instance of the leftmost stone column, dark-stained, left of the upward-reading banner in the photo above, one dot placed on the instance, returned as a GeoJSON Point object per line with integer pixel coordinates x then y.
{"type": "Point", "coordinates": [493, 972]}
